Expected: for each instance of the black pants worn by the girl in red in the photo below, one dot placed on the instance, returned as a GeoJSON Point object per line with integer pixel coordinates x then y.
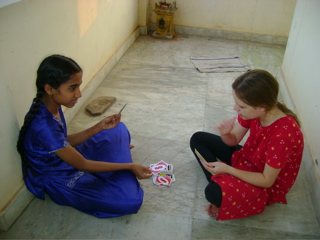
{"type": "Point", "coordinates": [211, 147]}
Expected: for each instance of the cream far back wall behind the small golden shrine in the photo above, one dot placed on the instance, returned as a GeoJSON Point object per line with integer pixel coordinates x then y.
{"type": "Point", "coordinates": [269, 17]}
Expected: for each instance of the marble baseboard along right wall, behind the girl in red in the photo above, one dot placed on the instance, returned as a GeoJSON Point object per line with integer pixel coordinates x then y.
{"type": "Point", "coordinates": [312, 177]}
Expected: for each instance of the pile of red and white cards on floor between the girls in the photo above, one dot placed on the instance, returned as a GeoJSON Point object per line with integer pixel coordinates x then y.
{"type": "Point", "coordinates": [162, 173]}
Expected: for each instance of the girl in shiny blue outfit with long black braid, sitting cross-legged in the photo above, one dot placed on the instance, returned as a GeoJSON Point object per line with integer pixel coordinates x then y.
{"type": "Point", "coordinates": [92, 170]}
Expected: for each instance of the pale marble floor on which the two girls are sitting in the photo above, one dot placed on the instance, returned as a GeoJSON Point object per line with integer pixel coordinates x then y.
{"type": "Point", "coordinates": [168, 100]}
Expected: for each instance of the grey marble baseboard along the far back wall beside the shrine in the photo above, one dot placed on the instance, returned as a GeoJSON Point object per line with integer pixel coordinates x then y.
{"type": "Point", "coordinates": [218, 33]}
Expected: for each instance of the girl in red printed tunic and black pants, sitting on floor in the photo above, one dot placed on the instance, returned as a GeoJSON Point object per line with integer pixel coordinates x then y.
{"type": "Point", "coordinates": [243, 180]}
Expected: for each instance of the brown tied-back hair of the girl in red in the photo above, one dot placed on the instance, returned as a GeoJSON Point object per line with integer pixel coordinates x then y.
{"type": "Point", "coordinates": [259, 88]}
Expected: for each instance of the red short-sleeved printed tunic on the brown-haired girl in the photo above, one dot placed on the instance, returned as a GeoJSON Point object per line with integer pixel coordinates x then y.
{"type": "Point", "coordinates": [279, 145]}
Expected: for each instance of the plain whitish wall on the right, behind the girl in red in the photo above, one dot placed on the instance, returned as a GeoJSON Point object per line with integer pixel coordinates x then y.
{"type": "Point", "coordinates": [301, 74]}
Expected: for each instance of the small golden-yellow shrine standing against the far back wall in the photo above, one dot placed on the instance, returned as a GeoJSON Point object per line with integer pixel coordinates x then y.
{"type": "Point", "coordinates": [164, 19]}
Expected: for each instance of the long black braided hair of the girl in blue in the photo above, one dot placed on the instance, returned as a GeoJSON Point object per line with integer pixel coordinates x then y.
{"type": "Point", "coordinates": [53, 70]}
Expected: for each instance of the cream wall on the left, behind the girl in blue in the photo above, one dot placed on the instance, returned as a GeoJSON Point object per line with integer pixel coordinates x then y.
{"type": "Point", "coordinates": [91, 32]}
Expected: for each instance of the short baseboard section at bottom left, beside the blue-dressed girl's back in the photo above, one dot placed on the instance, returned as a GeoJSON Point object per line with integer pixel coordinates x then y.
{"type": "Point", "coordinates": [13, 211]}
